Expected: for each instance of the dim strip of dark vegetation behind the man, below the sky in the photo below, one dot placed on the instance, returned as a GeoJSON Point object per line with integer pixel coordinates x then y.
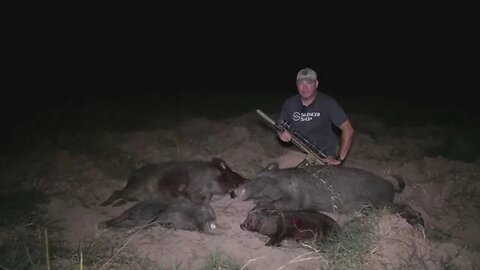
{"type": "Point", "coordinates": [79, 124]}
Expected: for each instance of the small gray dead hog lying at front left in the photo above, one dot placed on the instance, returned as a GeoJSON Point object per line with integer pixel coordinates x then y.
{"type": "Point", "coordinates": [176, 214]}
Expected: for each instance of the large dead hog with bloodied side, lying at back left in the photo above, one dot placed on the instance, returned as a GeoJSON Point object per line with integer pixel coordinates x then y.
{"type": "Point", "coordinates": [195, 180]}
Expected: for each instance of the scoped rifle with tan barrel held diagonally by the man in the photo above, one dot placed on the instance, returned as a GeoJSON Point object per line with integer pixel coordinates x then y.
{"type": "Point", "coordinates": [314, 155]}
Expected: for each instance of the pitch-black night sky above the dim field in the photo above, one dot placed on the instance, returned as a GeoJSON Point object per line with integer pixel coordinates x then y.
{"type": "Point", "coordinates": [86, 56]}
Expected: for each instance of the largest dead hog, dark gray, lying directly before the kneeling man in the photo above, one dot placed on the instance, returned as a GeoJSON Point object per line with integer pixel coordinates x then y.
{"type": "Point", "coordinates": [325, 188]}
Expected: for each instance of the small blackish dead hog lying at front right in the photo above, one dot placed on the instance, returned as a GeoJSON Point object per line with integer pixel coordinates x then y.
{"type": "Point", "coordinates": [294, 224]}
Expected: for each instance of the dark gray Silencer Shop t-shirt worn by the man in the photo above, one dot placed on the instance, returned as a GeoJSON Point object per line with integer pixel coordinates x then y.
{"type": "Point", "coordinates": [315, 121]}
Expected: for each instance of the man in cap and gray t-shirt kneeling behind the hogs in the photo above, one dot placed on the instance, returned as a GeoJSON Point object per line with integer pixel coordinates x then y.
{"type": "Point", "coordinates": [312, 113]}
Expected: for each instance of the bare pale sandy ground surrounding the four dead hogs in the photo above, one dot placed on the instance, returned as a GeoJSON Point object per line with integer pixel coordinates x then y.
{"type": "Point", "coordinates": [442, 190]}
